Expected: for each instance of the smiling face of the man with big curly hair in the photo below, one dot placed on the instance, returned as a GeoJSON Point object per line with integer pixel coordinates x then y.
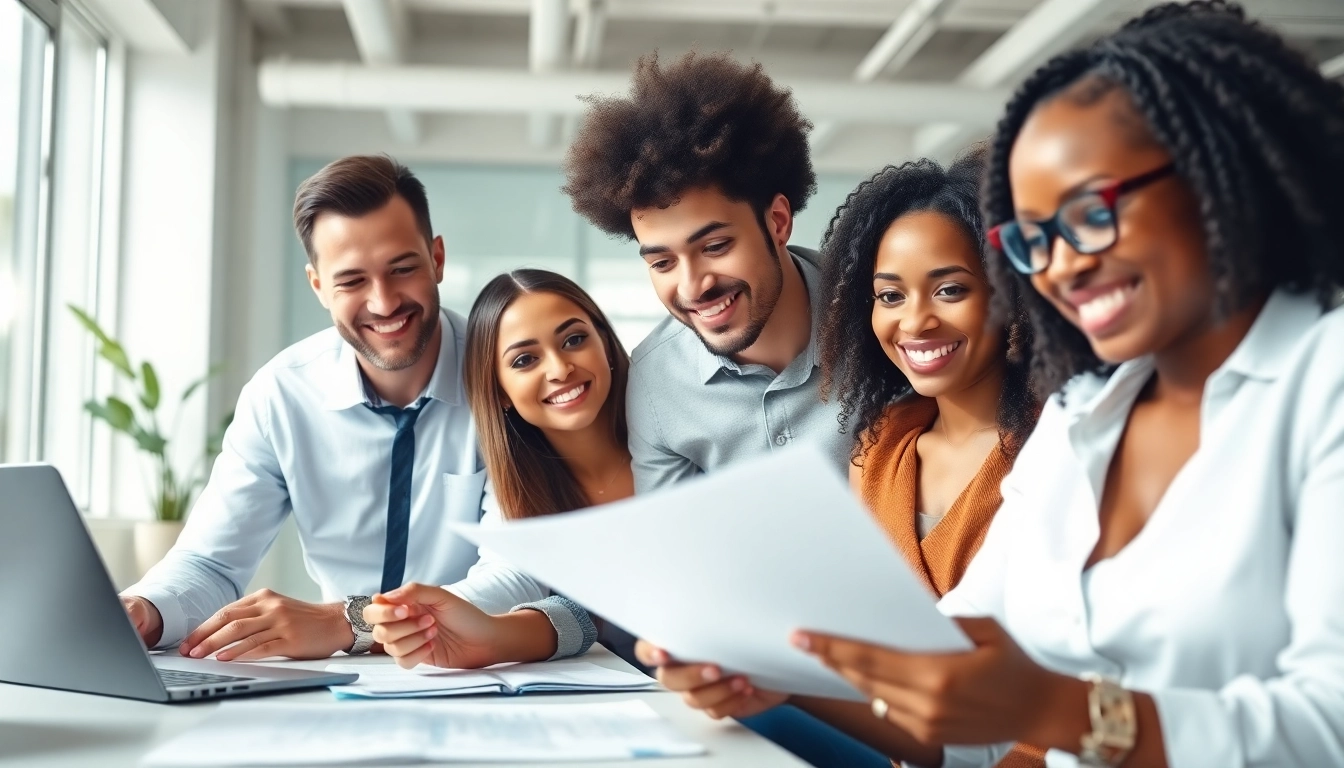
{"type": "Point", "coordinates": [713, 267]}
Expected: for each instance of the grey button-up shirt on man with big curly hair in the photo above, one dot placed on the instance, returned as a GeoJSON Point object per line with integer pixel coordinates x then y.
{"type": "Point", "coordinates": [691, 411]}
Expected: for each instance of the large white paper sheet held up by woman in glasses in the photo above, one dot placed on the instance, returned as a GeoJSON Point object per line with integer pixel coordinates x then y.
{"type": "Point", "coordinates": [724, 568]}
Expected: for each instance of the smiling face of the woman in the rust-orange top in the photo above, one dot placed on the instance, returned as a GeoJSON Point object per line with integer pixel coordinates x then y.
{"type": "Point", "coordinates": [931, 311]}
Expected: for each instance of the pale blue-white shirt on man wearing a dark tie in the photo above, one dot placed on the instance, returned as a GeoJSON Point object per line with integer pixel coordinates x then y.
{"type": "Point", "coordinates": [303, 442]}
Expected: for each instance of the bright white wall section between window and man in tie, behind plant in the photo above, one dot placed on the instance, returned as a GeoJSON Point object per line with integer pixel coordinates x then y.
{"type": "Point", "coordinates": [174, 229]}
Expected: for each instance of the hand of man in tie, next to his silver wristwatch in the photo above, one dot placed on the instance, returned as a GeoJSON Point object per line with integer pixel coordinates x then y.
{"type": "Point", "coordinates": [269, 625]}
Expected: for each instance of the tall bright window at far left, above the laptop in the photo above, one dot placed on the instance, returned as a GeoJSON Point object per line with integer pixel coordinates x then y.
{"type": "Point", "coordinates": [53, 88]}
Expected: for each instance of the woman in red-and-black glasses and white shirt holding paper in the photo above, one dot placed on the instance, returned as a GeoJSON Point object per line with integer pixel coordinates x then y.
{"type": "Point", "coordinates": [1163, 582]}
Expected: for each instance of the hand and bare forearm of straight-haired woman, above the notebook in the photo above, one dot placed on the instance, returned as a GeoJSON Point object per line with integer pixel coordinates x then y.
{"type": "Point", "coordinates": [417, 623]}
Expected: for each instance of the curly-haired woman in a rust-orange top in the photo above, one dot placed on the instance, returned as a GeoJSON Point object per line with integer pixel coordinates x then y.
{"type": "Point", "coordinates": [936, 391]}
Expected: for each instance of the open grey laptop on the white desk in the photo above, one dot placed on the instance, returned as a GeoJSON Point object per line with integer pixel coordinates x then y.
{"type": "Point", "coordinates": [69, 630]}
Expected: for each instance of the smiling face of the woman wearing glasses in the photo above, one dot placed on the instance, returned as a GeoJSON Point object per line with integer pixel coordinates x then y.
{"type": "Point", "coordinates": [1150, 291]}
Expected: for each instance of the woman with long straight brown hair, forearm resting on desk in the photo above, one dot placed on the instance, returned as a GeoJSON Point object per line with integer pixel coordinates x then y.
{"type": "Point", "coordinates": [545, 377]}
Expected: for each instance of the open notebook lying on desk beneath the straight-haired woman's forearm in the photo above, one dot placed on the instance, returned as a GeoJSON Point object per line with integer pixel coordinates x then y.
{"type": "Point", "coordinates": [572, 676]}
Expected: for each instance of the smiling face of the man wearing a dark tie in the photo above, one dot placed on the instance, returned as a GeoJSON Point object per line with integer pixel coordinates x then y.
{"type": "Point", "coordinates": [380, 280]}
